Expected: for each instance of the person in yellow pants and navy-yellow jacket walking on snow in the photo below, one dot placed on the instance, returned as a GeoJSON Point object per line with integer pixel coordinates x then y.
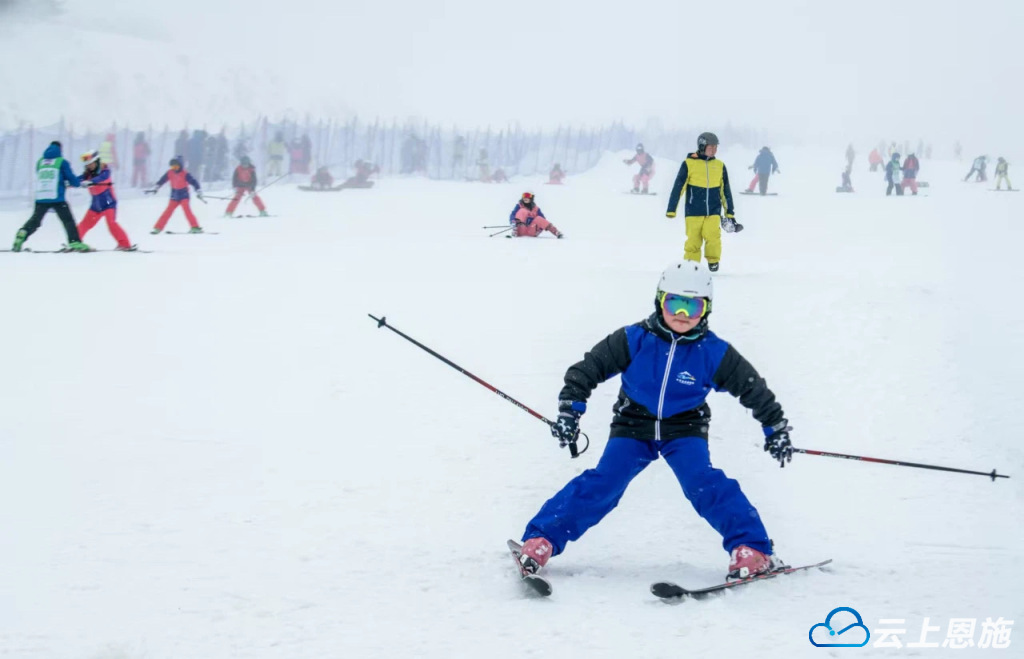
{"type": "Point", "coordinates": [703, 187]}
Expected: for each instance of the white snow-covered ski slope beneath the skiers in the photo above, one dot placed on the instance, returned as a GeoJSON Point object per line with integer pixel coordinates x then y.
{"type": "Point", "coordinates": [212, 452]}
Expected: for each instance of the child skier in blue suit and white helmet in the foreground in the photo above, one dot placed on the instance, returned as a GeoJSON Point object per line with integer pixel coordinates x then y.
{"type": "Point", "coordinates": [669, 364]}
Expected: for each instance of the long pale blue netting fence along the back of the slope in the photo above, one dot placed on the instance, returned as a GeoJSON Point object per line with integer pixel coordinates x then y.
{"type": "Point", "coordinates": [411, 149]}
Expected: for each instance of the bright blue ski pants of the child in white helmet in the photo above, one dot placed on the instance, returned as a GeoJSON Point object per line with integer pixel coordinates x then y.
{"type": "Point", "coordinates": [588, 498]}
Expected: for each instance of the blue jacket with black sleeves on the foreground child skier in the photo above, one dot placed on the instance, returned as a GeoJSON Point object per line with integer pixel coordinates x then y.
{"type": "Point", "coordinates": [666, 379]}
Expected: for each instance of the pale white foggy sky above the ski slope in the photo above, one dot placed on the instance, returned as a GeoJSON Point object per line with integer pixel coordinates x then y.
{"type": "Point", "coordinates": [901, 69]}
